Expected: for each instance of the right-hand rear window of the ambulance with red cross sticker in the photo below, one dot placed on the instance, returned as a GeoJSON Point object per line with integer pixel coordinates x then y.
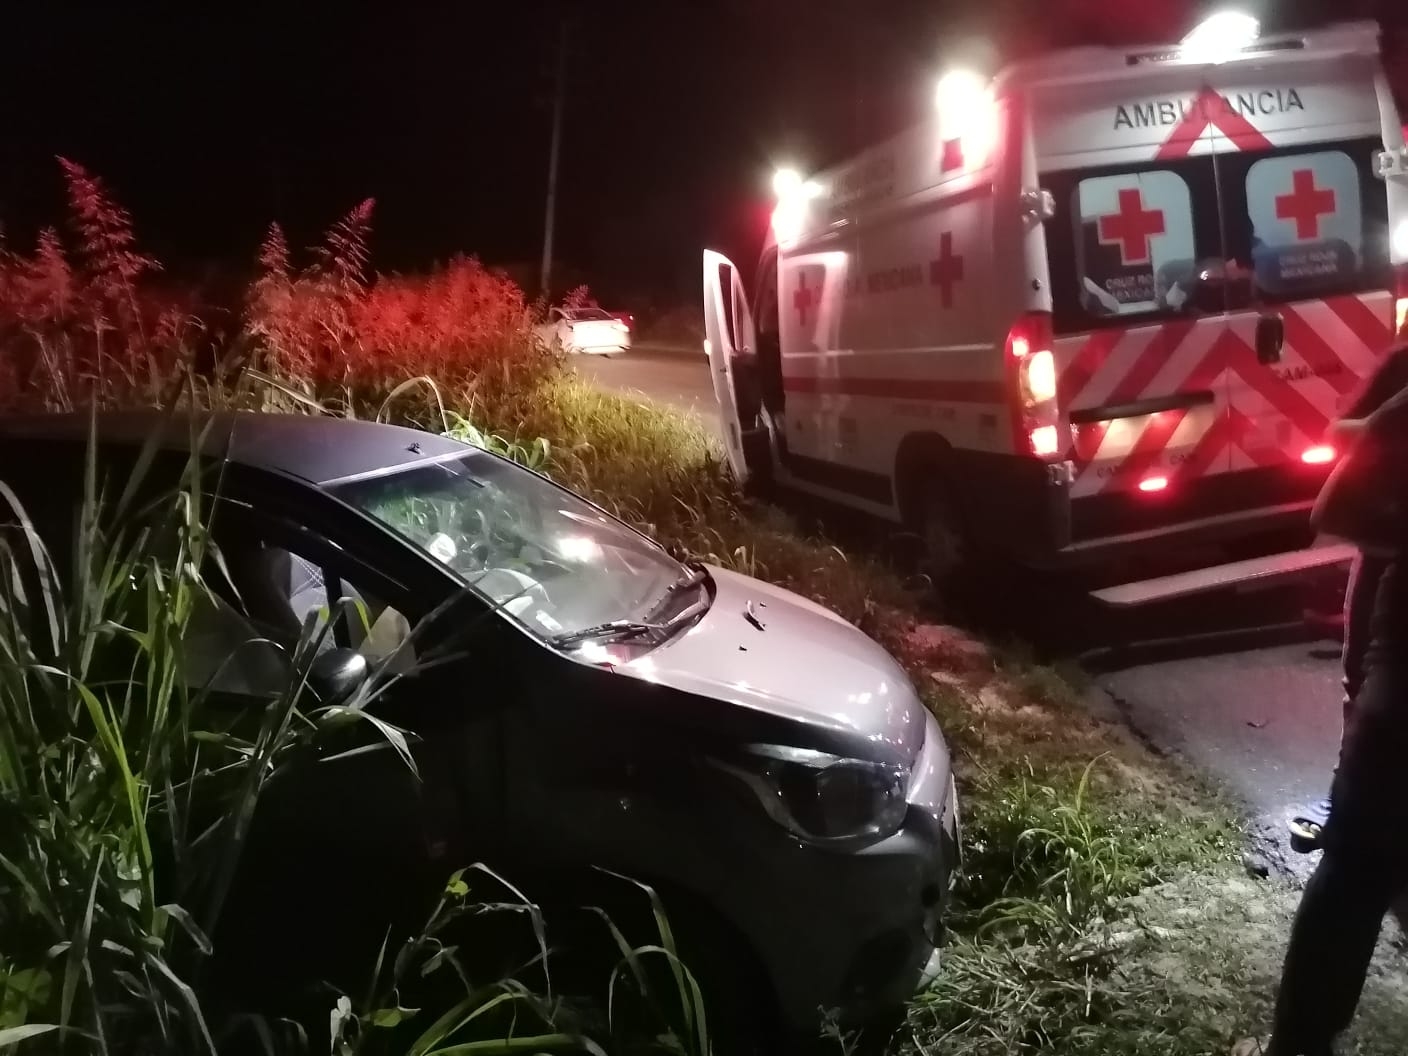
{"type": "Point", "coordinates": [1307, 222]}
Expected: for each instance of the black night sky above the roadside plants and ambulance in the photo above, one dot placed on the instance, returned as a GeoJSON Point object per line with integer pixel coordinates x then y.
{"type": "Point", "coordinates": [210, 120]}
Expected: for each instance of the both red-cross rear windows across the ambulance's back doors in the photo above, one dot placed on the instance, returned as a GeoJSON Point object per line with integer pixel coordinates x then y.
{"type": "Point", "coordinates": [1212, 234]}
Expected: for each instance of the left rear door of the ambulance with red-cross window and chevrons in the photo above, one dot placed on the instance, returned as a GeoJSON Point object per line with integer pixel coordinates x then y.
{"type": "Point", "coordinates": [1136, 329]}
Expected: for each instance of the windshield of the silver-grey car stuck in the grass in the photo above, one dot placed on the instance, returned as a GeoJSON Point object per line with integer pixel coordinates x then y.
{"type": "Point", "coordinates": [546, 557]}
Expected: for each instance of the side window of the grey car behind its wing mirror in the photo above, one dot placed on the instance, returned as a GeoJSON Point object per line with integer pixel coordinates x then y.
{"type": "Point", "coordinates": [243, 633]}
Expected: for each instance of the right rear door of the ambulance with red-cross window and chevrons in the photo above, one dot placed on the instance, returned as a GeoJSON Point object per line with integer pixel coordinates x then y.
{"type": "Point", "coordinates": [1309, 272]}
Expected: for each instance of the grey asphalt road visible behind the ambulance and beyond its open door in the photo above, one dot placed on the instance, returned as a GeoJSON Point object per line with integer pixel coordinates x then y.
{"type": "Point", "coordinates": [1258, 713]}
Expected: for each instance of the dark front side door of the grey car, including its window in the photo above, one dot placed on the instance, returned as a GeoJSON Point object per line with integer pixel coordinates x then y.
{"type": "Point", "coordinates": [354, 829]}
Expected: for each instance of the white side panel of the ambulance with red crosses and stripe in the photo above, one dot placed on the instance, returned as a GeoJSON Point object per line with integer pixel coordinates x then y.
{"type": "Point", "coordinates": [893, 333]}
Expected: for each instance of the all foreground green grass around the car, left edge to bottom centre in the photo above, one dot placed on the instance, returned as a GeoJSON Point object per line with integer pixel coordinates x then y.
{"type": "Point", "coordinates": [127, 799]}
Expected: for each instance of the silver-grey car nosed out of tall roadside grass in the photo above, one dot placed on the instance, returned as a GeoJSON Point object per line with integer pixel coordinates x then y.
{"type": "Point", "coordinates": [593, 702]}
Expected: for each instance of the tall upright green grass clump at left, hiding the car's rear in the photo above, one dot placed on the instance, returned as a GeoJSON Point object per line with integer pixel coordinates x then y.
{"type": "Point", "coordinates": [111, 767]}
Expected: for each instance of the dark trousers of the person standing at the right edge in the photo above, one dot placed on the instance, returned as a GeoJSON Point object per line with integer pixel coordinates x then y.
{"type": "Point", "coordinates": [1365, 865]}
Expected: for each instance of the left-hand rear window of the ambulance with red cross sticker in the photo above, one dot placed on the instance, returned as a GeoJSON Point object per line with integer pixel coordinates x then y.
{"type": "Point", "coordinates": [1130, 244]}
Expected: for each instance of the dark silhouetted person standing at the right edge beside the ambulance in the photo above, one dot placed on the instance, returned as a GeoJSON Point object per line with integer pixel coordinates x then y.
{"type": "Point", "coordinates": [1365, 838]}
